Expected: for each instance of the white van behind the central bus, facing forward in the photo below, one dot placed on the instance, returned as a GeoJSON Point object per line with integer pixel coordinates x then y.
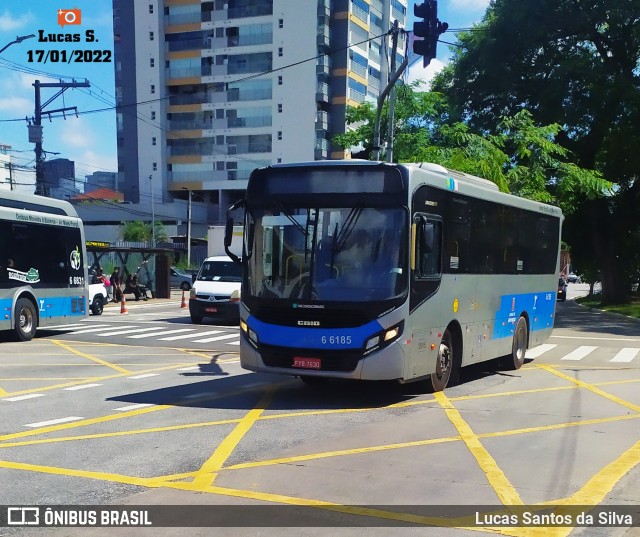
{"type": "Point", "coordinates": [216, 291]}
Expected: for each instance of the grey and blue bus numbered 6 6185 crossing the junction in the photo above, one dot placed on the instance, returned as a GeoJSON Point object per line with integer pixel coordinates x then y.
{"type": "Point", "coordinates": [365, 270]}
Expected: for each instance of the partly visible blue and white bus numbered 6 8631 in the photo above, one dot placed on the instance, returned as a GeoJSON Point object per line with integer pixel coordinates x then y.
{"type": "Point", "coordinates": [43, 273]}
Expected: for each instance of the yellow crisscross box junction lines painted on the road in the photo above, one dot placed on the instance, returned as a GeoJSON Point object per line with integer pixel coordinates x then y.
{"type": "Point", "coordinates": [591, 493]}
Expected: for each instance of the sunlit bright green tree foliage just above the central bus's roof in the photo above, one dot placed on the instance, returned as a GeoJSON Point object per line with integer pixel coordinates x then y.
{"type": "Point", "coordinates": [520, 156]}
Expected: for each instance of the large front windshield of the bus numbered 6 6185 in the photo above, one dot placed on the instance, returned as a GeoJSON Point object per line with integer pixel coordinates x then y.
{"type": "Point", "coordinates": [328, 254]}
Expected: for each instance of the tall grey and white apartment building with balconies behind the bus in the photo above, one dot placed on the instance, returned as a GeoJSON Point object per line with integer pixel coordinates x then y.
{"type": "Point", "coordinates": [208, 90]}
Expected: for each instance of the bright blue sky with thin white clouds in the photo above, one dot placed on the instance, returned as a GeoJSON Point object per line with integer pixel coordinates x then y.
{"type": "Point", "coordinates": [90, 139]}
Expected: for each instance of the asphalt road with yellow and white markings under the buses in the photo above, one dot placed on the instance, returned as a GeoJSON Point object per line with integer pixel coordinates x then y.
{"type": "Point", "coordinates": [116, 420]}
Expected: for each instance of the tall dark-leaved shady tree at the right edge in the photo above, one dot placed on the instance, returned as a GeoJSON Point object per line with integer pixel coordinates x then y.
{"type": "Point", "coordinates": [574, 63]}
